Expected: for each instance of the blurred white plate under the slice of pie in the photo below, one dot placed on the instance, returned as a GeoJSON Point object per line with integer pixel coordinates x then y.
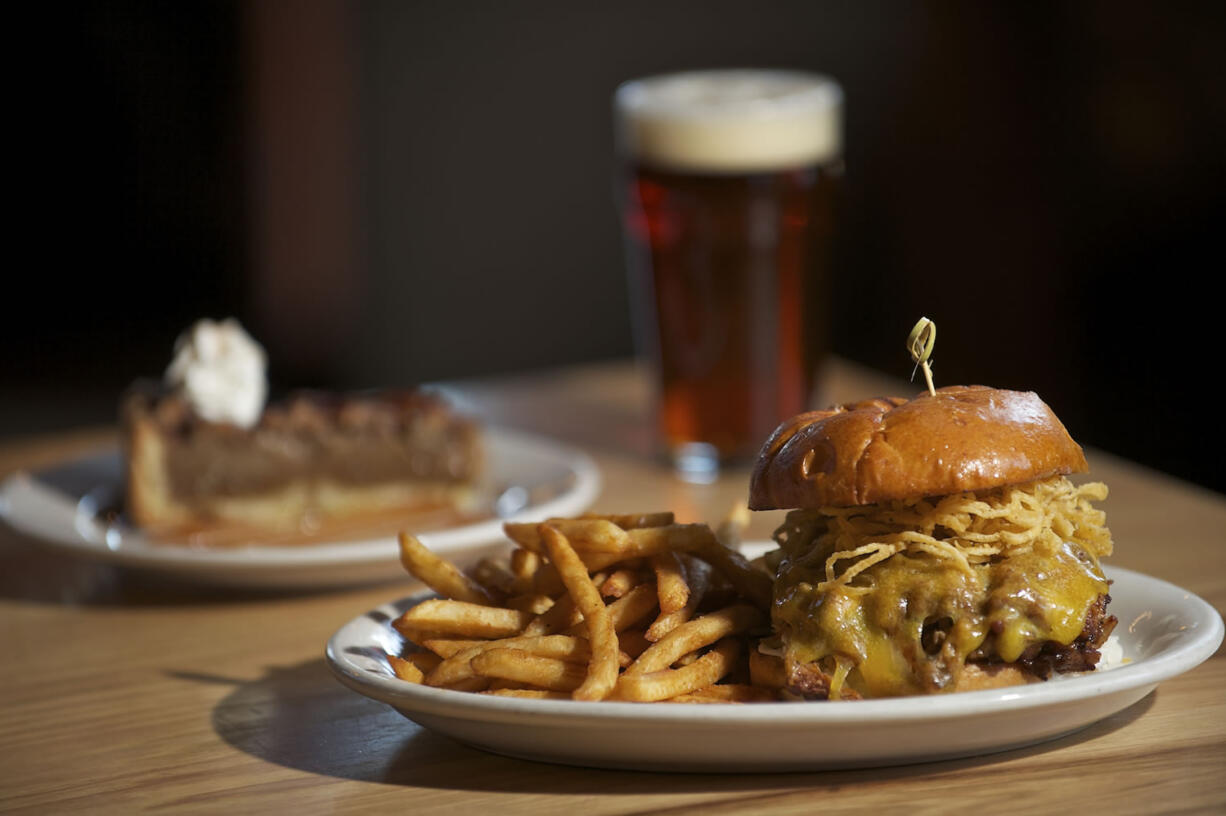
{"type": "Point", "coordinates": [528, 477]}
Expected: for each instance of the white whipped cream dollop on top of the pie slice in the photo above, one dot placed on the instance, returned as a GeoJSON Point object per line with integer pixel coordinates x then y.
{"type": "Point", "coordinates": [221, 372]}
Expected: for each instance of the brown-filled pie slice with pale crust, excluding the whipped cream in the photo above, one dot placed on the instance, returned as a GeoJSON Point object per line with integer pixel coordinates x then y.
{"type": "Point", "coordinates": [310, 460]}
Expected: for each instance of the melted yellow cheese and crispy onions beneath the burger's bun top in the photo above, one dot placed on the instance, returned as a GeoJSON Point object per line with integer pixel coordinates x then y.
{"type": "Point", "coordinates": [979, 576]}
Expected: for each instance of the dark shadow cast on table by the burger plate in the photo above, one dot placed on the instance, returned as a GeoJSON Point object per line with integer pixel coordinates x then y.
{"type": "Point", "coordinates": [301, 717]}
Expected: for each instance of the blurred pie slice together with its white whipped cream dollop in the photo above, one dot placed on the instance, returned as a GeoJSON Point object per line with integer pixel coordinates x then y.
{"type": "Point", "coordinates": [204, 453]}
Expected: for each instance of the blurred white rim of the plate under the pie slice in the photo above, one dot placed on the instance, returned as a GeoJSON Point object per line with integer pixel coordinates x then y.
{"type": "Point", "coordinates": [588, 486]}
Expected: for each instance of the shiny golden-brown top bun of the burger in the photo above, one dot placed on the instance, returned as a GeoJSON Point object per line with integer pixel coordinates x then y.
{"type": "Point", "coordinates": [965, 438]}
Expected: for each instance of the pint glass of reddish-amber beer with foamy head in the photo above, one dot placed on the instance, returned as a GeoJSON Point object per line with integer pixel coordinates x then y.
{"type": "Point", "coordinates": [728, 191]}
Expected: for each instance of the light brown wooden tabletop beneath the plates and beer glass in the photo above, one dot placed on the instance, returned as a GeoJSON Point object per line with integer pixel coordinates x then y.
{"type": "Point", "coordinates": [124, 692]}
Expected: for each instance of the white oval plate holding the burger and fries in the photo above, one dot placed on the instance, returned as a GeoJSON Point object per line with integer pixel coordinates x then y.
{"type": "Point", "coordinates": [1163, 632]}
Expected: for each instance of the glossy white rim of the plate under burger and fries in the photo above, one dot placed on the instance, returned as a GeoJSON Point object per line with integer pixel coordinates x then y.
{"type": "Point", "coordinates": [1149, 672]}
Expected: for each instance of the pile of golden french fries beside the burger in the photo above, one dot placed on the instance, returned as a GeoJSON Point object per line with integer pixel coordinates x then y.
{"type": "Point", "coordinates": [623, 607]}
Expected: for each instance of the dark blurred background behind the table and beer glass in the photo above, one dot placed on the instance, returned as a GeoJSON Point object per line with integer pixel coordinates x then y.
{"type": "Point", "coordinates": [388, 193]}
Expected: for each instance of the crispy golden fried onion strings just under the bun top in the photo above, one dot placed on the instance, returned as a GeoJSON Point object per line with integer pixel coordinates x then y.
{"type": "Point", "coordinates": [965, 529]}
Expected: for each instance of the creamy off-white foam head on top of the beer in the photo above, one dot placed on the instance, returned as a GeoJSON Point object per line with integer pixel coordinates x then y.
{"type": "Point", "coordinates": [731, 121]}
